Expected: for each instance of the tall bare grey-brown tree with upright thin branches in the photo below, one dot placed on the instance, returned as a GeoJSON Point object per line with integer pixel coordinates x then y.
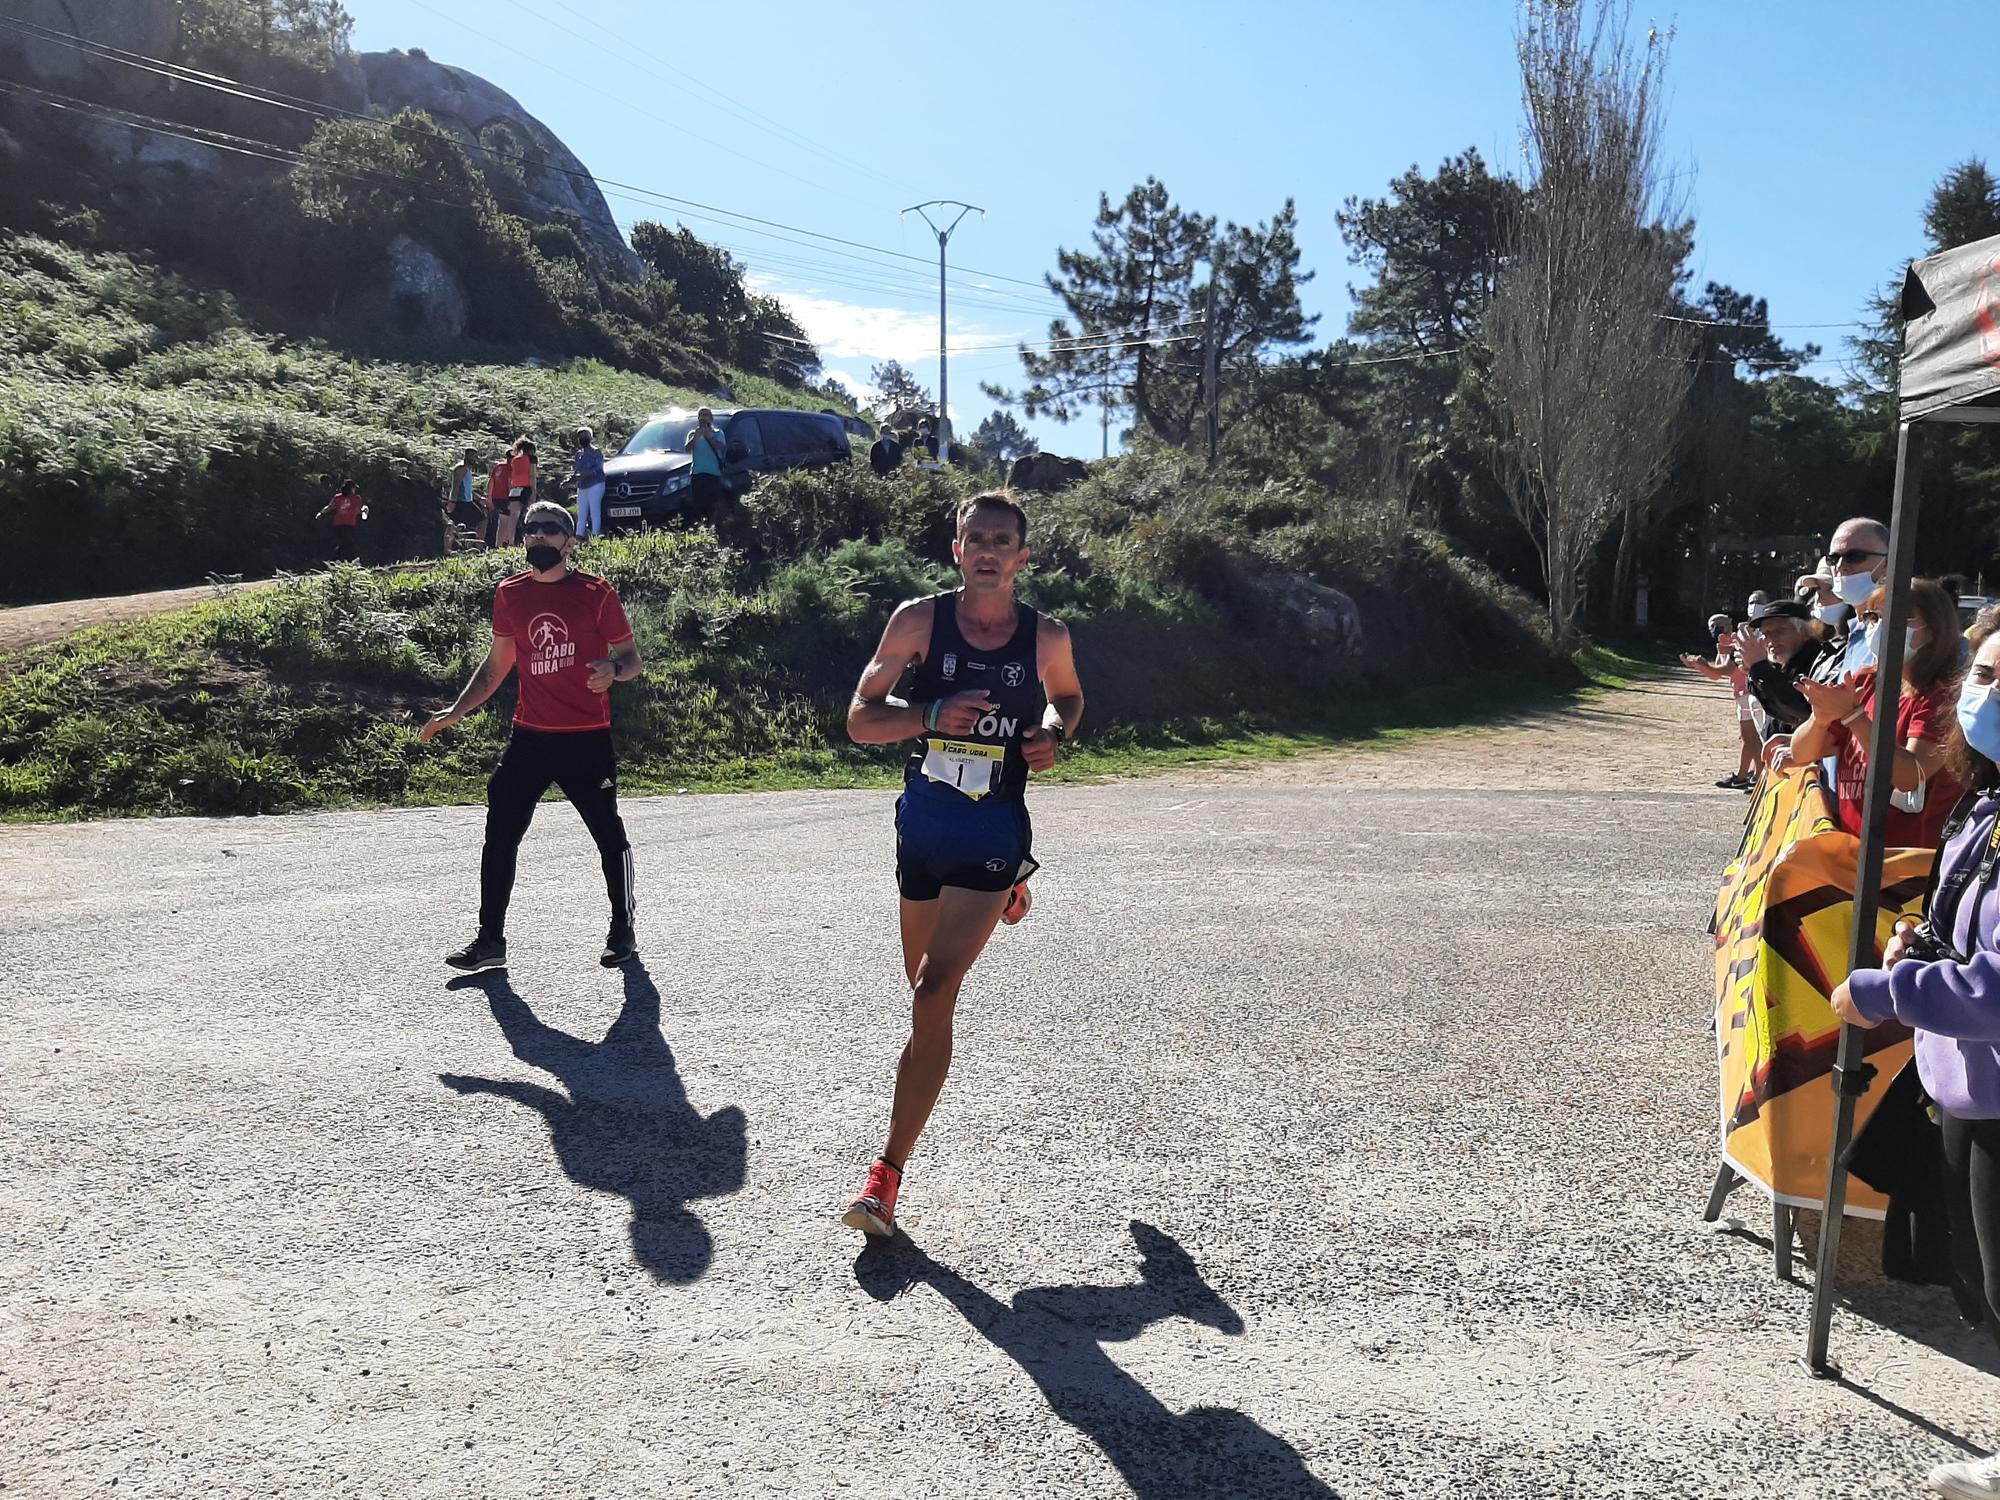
{"type": "Point", "coordinates": [1587, 371]}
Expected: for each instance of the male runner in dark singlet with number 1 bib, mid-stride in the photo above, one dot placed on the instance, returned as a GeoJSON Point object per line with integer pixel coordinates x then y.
{"type": "Point", "coordinates": [993, 695]}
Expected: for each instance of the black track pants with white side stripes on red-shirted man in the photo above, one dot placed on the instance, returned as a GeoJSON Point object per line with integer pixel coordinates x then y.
{"type": "Point", "coordinates": [585, 769]}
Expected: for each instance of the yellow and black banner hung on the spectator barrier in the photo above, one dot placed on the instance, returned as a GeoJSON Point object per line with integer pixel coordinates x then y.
{"type": "Point", "coordinates": [1785, 921]}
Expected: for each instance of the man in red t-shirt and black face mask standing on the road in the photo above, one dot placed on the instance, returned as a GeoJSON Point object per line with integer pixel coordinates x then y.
{"type": "Point", "coordinates": [567, 637]}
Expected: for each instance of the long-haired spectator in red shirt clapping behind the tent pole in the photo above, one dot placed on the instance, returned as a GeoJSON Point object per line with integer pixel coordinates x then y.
{"type": "Point", "coordinates": [1841, 723]}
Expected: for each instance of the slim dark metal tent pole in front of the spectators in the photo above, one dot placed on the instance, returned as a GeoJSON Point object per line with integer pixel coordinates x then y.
{"type": "Point", "coordinates": [1851, 1073]}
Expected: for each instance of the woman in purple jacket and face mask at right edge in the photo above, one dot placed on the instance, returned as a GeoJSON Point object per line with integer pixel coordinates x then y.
{"type": "Point", "coordinates": [1947, 987]}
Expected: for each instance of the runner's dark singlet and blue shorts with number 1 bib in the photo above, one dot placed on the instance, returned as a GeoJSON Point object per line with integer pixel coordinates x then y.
{"type": "Point", "coordinates": [963, 819]}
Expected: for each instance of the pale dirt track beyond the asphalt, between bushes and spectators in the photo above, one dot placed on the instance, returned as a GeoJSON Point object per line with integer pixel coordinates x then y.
{"type": "Point", "coordinates": [1673, 735]}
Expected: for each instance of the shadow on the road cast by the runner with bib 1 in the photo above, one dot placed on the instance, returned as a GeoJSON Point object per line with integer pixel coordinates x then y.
{"type": "Point", "coordinates": [1059, 1335]}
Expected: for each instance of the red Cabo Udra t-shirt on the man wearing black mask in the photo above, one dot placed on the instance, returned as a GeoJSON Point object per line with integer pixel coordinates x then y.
{"type": "Point", "coordinates": [559, 631]}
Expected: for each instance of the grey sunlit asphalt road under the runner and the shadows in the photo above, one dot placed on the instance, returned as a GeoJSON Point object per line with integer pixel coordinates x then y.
{"type": "Point", "coordinates": [1305, 1141]}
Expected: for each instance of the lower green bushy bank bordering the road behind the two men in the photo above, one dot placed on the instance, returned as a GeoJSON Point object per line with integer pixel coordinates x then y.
{"type": "Point", "coordinates": [309, 695]}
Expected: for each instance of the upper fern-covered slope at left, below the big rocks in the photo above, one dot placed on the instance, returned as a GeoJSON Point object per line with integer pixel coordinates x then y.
{"type": "Point", "coordinates": [161, 437]}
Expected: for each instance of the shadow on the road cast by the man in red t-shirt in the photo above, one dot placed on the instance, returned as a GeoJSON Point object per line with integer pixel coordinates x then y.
{"type": "Point", "coordinates": [625, 1123]}
